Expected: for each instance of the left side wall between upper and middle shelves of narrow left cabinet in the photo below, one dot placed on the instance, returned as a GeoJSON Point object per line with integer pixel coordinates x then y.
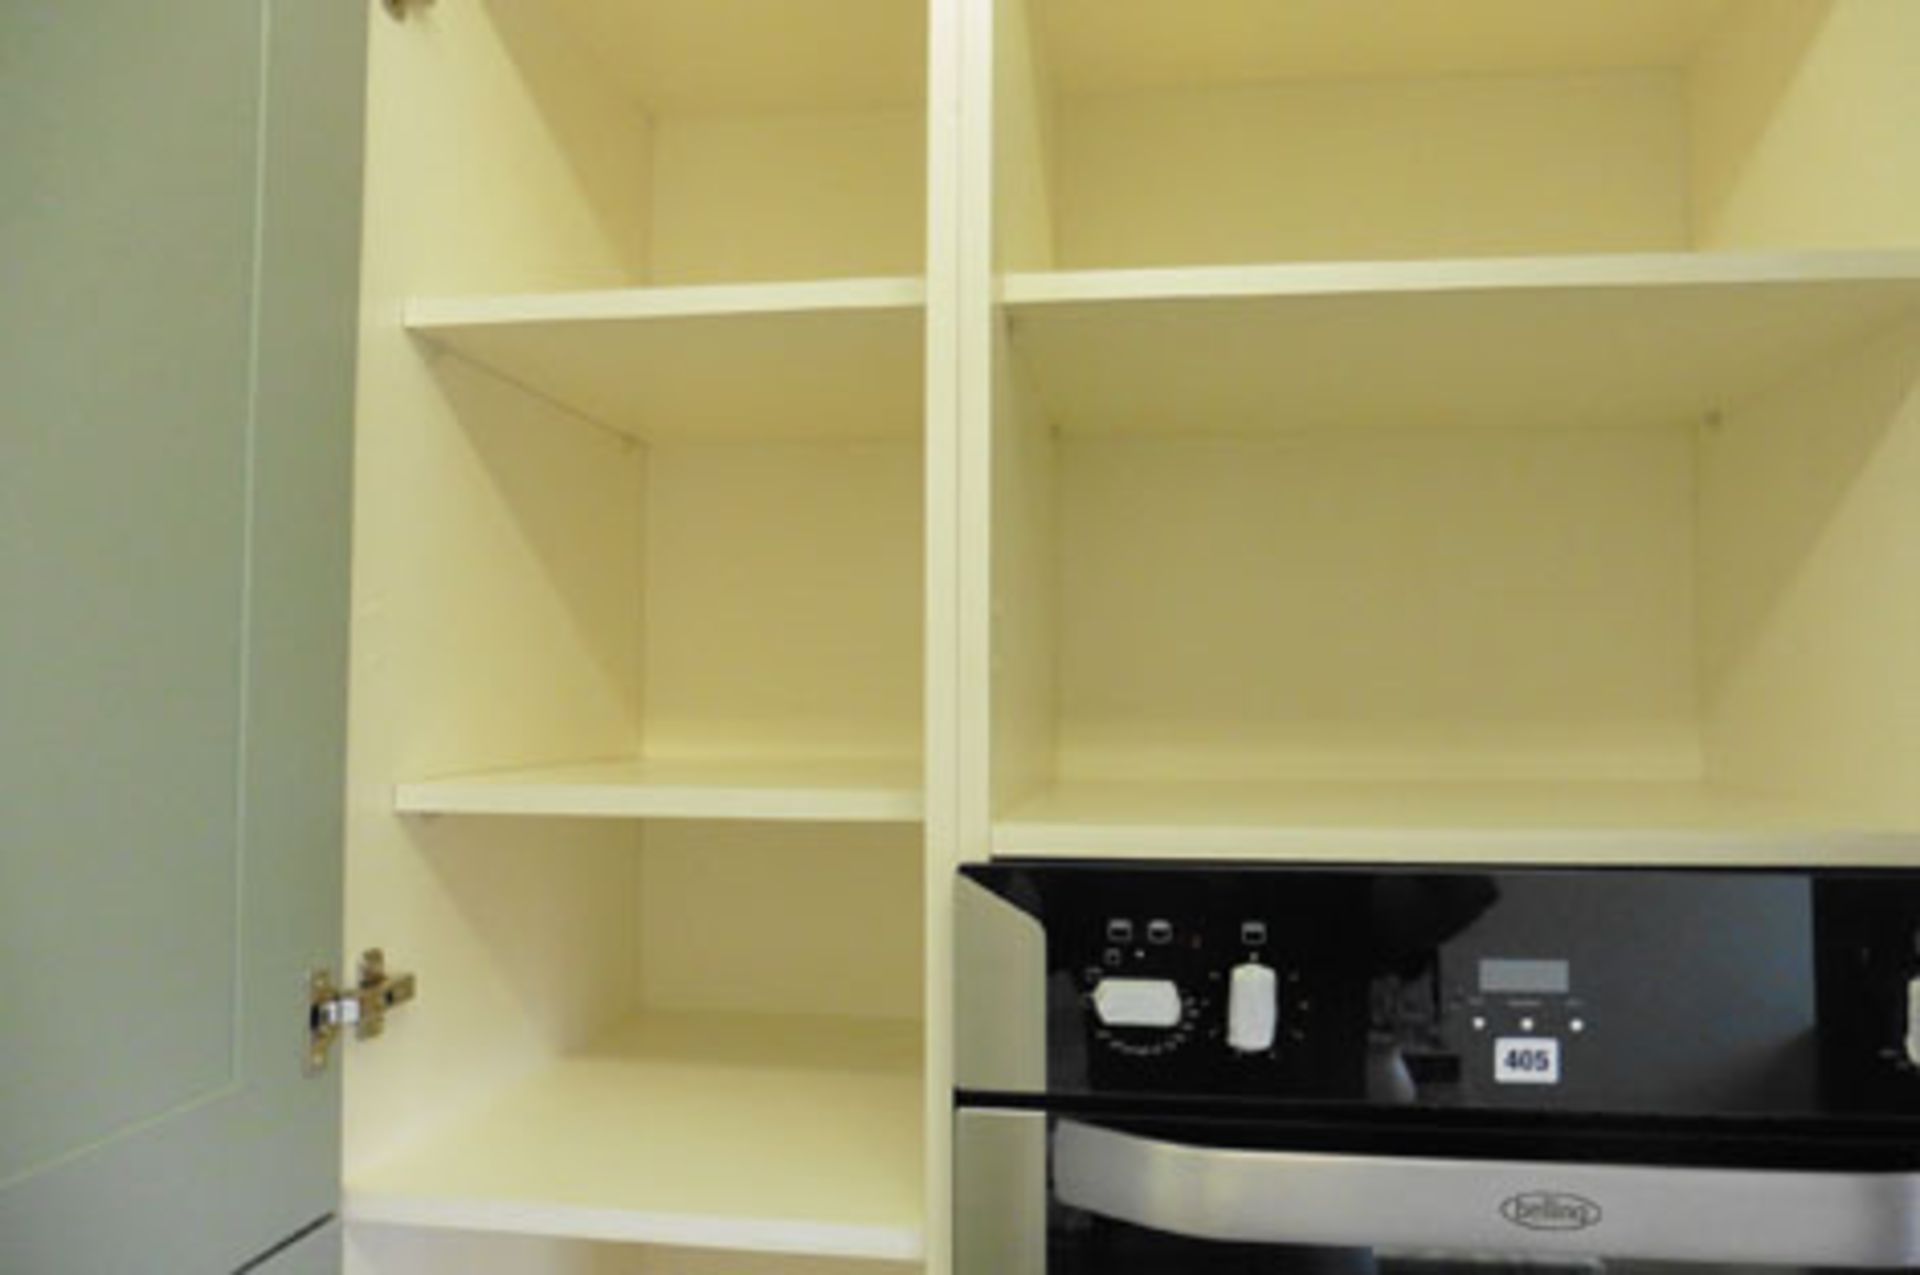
{"type": "Point", "coordinates": [502, 565]}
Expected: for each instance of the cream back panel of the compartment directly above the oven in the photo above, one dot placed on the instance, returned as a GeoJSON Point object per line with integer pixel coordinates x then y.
{"type": "Point", "coordinates": [1491, 606]}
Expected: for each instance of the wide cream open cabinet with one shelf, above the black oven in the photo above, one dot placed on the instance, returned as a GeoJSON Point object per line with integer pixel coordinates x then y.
{"type": "Point", "coordinates": [1454, 435]}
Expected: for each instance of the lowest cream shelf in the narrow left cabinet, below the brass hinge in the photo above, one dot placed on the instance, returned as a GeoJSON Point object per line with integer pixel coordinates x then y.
{"type": "Point", "coordinates": [702, 1132]}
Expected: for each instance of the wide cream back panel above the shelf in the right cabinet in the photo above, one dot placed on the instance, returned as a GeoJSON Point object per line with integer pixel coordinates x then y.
{"type": "Point", "coordinates": [1372, 170]}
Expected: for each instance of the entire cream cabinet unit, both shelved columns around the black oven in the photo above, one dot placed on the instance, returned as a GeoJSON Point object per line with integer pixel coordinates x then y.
{"type": "Point", "coordinates": [807, 446]}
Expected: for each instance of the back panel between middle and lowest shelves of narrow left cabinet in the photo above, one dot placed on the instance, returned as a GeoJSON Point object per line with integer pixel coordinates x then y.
{"type": "Point", "coordinates": [802, 919]}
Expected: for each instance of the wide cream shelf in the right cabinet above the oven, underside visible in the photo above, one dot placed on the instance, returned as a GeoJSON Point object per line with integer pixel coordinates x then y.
{"type": "Point", "coordinates": [1562, 343]}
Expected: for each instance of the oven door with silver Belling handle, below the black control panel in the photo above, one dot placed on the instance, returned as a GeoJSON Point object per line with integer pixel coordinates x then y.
{"type": "Point", "coordinates": [1051, 1195]}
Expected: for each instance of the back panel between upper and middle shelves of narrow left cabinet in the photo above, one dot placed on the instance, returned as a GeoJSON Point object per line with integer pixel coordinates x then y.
{"type": "Point", "coordinates": [784, 602]}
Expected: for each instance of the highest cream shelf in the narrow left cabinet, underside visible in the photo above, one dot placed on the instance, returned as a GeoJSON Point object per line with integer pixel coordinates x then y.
{"type": "Point", "coordinates": [804, 360]}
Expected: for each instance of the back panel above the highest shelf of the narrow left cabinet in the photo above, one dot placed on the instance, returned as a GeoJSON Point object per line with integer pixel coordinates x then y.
{"type": "Point", "coordinates": [788, 197]}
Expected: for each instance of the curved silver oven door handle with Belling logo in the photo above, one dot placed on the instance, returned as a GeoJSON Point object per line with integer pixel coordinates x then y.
{"type": "Point", "coordinates": [1491, 1207]}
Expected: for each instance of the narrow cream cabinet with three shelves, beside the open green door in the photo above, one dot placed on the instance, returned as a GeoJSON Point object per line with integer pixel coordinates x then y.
{"type": "Point", "coordinates": [638, 769]}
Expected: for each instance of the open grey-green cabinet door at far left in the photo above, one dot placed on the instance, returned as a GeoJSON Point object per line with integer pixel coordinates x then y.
{"type": "Point", "coordinates": [180, 228]}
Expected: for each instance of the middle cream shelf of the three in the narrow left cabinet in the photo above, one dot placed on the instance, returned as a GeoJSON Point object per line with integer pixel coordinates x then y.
{"type": "Point", "coordinates": [706, 790]}
